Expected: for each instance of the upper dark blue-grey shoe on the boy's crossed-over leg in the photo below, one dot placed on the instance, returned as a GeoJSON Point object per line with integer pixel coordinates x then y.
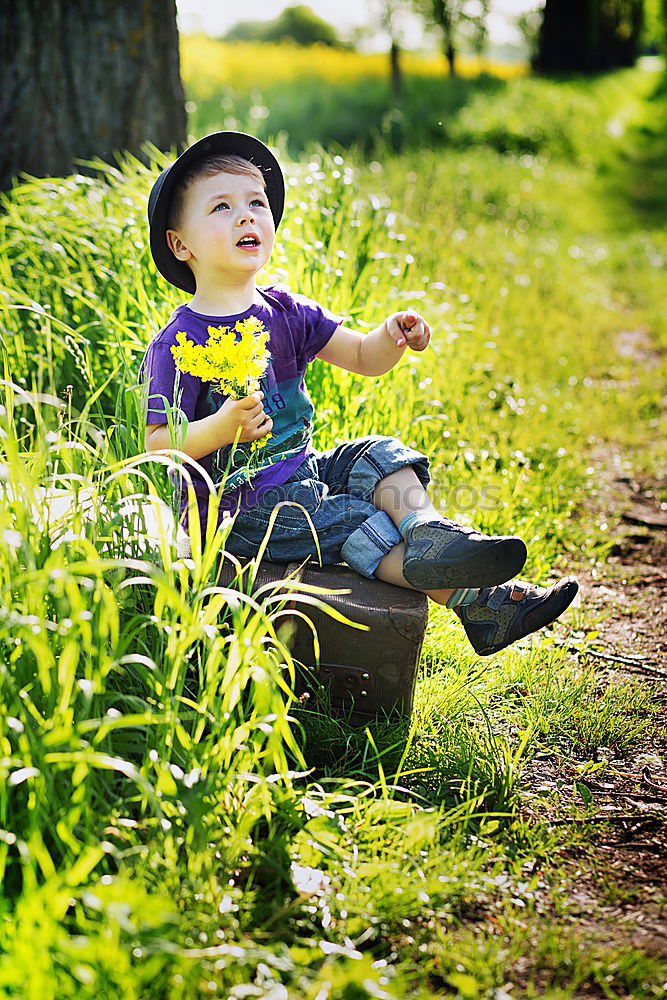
{"type": "Point", "coordinates": [441, 554]}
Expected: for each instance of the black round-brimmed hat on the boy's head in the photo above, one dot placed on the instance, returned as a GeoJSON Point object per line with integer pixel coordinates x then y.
{"type": "Point", "coordinates": [159, 201]}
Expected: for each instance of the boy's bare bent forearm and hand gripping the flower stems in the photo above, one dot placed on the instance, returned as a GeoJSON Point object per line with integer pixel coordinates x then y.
{"type": "Point", "coordinates": [237, 419]}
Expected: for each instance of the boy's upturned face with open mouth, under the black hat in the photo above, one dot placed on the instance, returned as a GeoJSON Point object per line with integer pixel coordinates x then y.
{"type": "Point", "coordinates": [226, 231]}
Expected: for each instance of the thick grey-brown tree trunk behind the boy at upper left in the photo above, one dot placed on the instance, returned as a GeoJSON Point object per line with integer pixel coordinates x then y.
{"type": "Point", "coordinates": [83, 79]}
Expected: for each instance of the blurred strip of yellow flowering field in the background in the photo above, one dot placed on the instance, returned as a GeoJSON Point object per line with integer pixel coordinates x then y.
{"type": "Point", "coordinates": [208, 64]}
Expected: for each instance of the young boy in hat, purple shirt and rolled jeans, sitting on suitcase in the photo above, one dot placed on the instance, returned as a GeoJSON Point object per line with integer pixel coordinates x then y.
{"type": "Point", "coordinates": [213, 214]}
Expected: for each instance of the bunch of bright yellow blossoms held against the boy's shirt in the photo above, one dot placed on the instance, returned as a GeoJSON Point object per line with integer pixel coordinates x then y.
{"type": "Point", "coordinates": [233, 366]}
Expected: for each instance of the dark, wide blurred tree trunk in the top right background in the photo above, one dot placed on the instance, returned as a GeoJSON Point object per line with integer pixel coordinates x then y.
{"type": "Point", "coordinates": [586, 36]}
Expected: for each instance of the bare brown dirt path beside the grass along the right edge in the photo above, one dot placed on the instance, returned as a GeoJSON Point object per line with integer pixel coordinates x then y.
{"type": "Point", "coordinates": [615, 886]}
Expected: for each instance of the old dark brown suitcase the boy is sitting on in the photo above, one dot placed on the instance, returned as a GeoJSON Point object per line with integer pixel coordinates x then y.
{"type": "Point", "coordinates": [365, 673]}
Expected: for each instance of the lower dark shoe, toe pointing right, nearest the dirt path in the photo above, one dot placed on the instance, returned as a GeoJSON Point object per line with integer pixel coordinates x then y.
{"type": "Point", "coordinates": [501, 615]}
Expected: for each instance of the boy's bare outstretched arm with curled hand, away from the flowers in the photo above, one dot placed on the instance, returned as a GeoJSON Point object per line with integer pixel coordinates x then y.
{"type": "Point", "coordinates": [377, 352]}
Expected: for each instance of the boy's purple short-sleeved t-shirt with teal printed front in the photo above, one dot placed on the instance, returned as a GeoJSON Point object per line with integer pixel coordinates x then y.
{"type": "Point", "coordinates": [298, 330]}
